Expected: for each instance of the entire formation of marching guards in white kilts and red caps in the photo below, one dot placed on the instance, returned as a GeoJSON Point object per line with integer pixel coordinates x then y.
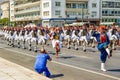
{"type": "Point", "coordinates": [68, 36]}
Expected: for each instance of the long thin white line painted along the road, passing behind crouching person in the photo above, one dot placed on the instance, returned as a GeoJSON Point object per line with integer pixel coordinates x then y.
{"type": "Point", "coordinates": [90, 71]}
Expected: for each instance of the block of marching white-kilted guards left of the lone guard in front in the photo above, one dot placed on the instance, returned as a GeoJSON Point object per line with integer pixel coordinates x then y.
{"type": "Point", "coordinates": [23, 36]}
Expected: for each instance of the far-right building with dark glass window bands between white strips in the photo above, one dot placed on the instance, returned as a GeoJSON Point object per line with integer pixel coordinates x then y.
{"type": "Point", "coordinates": [110, 11]}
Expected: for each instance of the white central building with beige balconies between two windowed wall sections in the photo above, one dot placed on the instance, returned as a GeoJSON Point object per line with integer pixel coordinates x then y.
{"type": "Point", "coordinates": [59, 12]}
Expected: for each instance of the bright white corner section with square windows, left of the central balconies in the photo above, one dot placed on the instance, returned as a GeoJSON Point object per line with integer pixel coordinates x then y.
{"type": "Point", "coordinates": [53, 12]}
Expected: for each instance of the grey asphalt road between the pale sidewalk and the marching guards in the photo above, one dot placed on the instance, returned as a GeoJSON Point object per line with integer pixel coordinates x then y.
{"type": "Point", "coordinates": [71, 65]}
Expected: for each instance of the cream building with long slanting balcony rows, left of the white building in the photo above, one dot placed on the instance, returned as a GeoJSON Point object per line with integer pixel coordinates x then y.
{"type": "Point", "coordinates": [25, 11]}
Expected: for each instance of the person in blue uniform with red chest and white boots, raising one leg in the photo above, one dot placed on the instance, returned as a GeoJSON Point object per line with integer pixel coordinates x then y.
{"type": "Point", "coordinates": [103, 42]}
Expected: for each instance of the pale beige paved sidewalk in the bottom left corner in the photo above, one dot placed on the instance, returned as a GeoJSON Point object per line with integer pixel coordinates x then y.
{"type": "Point", "coordinates": [12, 71]}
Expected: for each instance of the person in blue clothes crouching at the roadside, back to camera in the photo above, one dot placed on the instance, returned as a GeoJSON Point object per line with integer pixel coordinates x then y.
{"type": "Point", "coordinates": [41, 62]}
